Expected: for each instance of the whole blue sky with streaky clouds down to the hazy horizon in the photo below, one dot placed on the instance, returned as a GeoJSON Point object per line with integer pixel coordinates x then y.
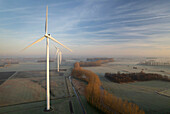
{"type": "Point", "coordinates": [88, 27]}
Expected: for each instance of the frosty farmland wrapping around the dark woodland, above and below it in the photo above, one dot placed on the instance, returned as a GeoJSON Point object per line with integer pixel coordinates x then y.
{"type": "Point", "coordinates": [151, 96]}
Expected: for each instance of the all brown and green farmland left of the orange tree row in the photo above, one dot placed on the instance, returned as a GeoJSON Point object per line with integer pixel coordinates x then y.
{"type": "Point", "coordinates": [25, 92]}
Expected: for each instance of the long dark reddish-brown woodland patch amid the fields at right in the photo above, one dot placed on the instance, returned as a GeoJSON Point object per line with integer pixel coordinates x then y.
{"type": "Point", "coordinates": [123, 78]}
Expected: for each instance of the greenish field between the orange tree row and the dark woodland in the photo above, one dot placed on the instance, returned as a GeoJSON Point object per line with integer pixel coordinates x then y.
{"type": "Point", "coordinates": [144, 94]}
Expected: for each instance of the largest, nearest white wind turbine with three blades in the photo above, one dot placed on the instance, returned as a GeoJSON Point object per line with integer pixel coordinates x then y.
{"type": "Point", "coordinates": [47, 36]}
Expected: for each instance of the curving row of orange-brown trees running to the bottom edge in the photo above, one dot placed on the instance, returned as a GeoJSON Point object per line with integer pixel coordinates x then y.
{"type": "Point", "coordinates": [100, 98]}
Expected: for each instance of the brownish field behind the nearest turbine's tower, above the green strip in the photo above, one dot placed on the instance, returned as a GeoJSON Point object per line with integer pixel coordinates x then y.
{"type": "Point", "coordinates": [30, 86]}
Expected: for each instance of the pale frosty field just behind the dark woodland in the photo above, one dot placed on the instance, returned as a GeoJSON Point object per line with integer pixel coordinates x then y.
{"type": "Point", "coordinates": [129, 67]}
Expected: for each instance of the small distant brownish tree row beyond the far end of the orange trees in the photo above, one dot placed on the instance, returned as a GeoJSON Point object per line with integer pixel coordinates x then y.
{"type": "Point", "coordinates": [95, 62]}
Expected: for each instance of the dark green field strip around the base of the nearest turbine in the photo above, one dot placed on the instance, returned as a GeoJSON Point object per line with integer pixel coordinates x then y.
{"type": "Point", "coordinates": [59, 106]}
